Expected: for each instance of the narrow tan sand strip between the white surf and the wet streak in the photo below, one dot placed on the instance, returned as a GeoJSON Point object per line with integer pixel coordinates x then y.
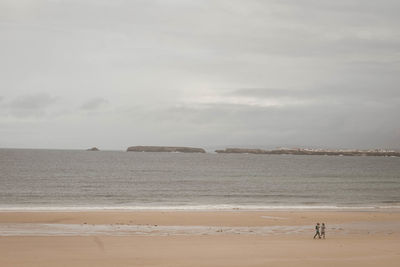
{"type": "Point", "coordinates": [202, 218]}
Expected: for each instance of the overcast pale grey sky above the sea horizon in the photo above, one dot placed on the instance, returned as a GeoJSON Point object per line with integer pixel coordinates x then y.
{"type": "Point", "coordinates": [82, 73]}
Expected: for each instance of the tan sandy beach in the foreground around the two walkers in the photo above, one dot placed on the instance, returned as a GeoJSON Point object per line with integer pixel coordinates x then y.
{"type": "Point", "coordinates": [357, 239]}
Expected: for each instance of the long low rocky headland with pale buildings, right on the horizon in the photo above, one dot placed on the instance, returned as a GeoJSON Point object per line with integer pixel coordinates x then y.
{"type": "Point", "coordinates": [299, 151]}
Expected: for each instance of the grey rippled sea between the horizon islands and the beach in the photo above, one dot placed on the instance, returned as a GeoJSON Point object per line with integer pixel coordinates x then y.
{"type": "Point", "coordinates": [61, 179]}
